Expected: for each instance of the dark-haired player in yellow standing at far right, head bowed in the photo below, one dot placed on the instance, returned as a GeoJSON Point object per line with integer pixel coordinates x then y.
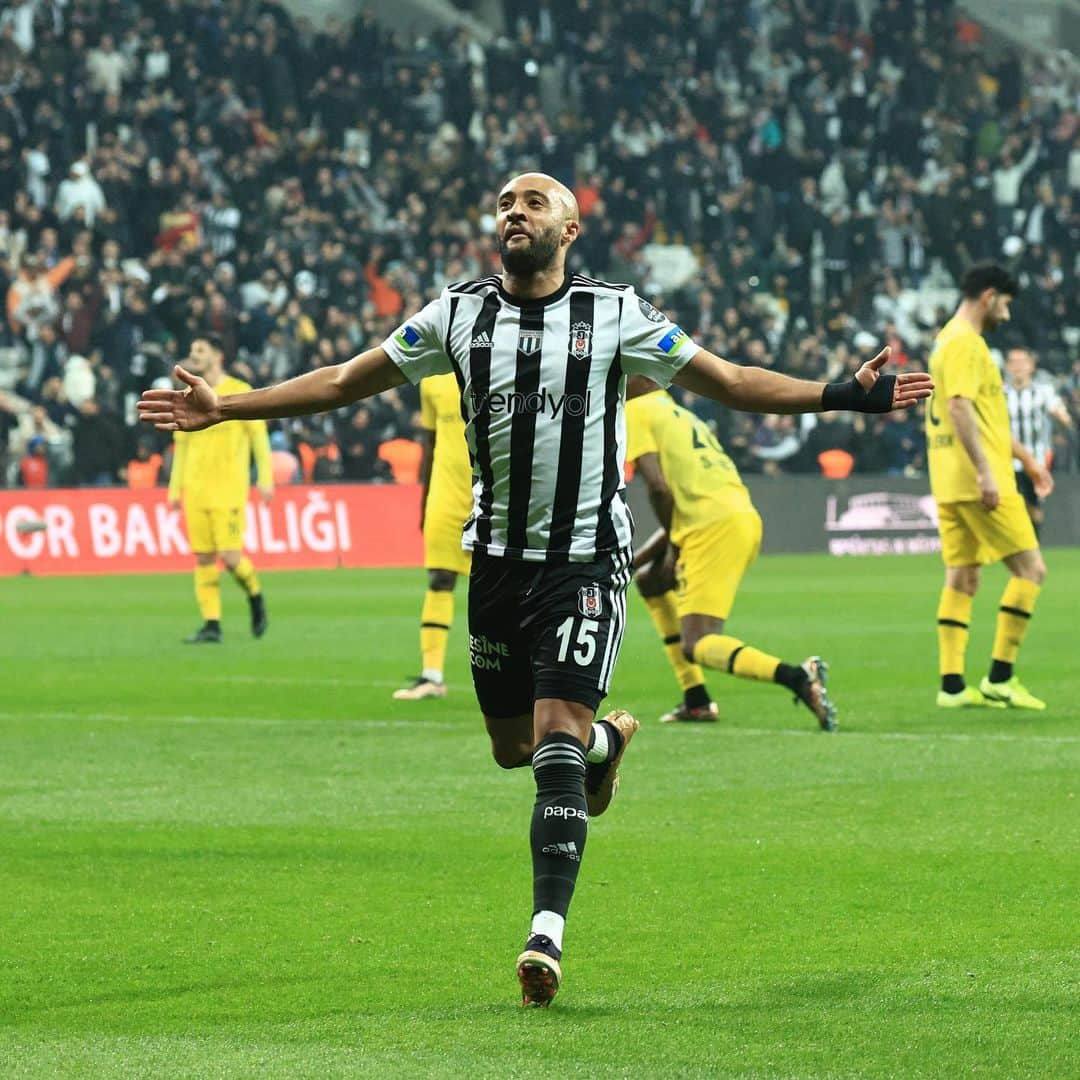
{"type": "Point", "coordinates": [981, 516]}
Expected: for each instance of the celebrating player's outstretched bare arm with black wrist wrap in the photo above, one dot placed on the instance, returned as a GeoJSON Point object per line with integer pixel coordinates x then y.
{"type": "Point", "coordinates": [760, 390]}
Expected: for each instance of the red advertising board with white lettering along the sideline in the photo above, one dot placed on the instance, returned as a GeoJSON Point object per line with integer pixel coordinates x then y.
{"type": "Point", "coordinates": [117, 531]}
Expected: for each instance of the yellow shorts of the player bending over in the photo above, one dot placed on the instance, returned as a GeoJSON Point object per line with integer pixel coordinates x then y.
{"type": "Point", "coordinates": [712, 562]}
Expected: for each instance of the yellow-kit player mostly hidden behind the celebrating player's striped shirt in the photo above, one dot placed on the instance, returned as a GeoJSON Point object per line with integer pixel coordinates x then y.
{"type": "Point", "coordinates": [445, 507]}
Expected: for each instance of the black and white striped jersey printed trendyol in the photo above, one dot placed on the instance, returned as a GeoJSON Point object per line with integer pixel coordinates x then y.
{"type": "Point", "coordinates": [543, 389]}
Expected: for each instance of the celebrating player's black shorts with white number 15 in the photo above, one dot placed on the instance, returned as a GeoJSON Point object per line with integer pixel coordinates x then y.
{"type": "Point", "coordinates": [539, 630]}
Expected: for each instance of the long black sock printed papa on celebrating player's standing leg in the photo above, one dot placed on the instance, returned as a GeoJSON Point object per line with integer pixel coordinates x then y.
{"type": "Point", "coordinates": [560, 821]}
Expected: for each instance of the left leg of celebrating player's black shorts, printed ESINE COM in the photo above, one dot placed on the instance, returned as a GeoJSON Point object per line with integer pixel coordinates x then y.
{"type": "Point", "coordinates": [498, 651]}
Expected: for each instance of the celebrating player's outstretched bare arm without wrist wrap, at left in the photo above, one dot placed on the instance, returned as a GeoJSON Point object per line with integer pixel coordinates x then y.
{"type": "Point", "coordinates": [319, 391]}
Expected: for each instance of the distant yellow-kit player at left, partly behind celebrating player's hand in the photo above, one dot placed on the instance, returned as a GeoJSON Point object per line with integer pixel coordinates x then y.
{"type": "Point", "coordinates": [211, 477]}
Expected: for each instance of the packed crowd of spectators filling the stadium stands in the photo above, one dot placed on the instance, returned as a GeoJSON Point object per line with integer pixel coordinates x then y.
{"type": "Point", "coordinates": [792, 183]}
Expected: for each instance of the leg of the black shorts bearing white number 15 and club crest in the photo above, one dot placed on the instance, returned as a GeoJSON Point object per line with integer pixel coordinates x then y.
{"type": "Point", "coordinates": [576, 615]}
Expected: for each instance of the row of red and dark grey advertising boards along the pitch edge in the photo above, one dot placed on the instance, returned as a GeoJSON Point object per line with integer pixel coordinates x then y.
{"type": "Point", "coordinates": [116, 531]}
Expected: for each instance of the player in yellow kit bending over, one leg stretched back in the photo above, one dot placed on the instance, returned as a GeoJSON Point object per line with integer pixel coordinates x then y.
{"type": "Point", "coordinates": [706, 512]}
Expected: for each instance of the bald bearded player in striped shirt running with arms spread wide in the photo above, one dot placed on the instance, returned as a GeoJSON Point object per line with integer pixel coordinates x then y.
{"type": "Point", "coordinates": [541, 357]}
